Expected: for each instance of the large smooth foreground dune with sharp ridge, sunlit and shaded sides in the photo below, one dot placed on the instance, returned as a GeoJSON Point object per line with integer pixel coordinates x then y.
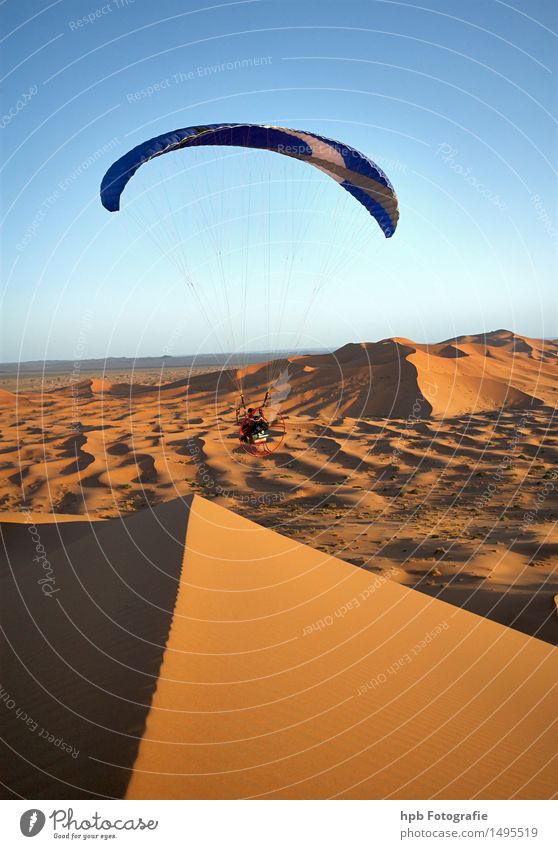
{"type": "Point", "coordinates": [190, 653]}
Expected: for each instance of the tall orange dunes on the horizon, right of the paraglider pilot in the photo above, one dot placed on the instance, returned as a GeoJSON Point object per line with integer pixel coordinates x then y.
{"type": "Point", "coordinates": [395, 377]}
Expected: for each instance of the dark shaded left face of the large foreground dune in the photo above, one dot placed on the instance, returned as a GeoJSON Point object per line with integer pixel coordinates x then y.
{"type": "Point", "coordinates": [80, 667]}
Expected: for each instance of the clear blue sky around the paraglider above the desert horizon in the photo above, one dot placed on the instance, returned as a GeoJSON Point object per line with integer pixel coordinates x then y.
{"type": "Point", "coordinates": [456, 100]}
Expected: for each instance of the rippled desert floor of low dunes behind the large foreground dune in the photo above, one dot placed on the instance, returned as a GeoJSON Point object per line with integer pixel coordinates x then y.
{"type": "Point", "coordinates": [461, 507]}
